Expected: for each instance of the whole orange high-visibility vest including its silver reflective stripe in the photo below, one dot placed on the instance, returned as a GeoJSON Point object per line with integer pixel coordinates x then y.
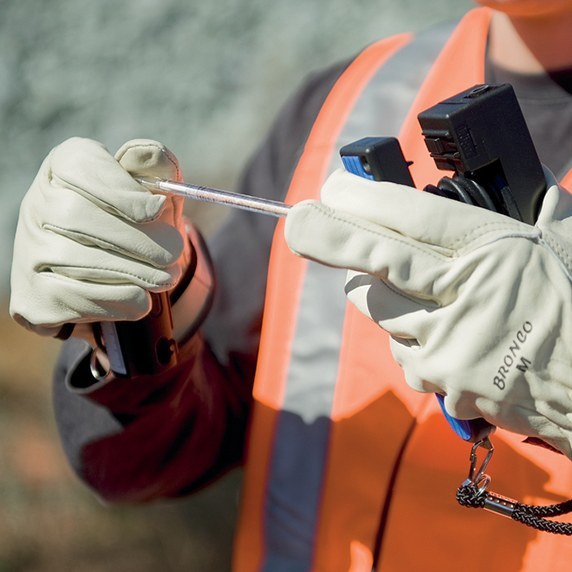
{"type": "Point", "coordinates": [344, 460]}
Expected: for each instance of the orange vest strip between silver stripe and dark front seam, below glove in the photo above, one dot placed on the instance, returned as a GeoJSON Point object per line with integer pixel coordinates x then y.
{"type": "Point", "coordinates": [372, 417]}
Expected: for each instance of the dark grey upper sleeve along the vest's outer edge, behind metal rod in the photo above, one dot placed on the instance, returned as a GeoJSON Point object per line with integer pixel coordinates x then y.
{"type": "Point", "coordinates": [241, 249]}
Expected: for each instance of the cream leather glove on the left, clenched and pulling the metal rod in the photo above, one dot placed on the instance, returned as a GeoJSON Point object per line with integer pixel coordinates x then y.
{"type": "Point", "coordinates": [91, 243]}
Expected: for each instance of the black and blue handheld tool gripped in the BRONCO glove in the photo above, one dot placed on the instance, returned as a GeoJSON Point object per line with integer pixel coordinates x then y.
{"type": "Point", "coordinates": [494, 168]}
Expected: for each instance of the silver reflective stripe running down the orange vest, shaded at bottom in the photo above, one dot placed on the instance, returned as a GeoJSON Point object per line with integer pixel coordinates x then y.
{"type": "Point", "coordinates": [298, 458]}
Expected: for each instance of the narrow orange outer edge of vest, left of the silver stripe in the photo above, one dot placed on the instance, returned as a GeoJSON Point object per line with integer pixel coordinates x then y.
{"type": "Point", "coordinates": [284, 287]}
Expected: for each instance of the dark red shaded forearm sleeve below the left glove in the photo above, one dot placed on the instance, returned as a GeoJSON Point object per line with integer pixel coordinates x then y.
{"type": "Point", "coordinates": [167, 435]}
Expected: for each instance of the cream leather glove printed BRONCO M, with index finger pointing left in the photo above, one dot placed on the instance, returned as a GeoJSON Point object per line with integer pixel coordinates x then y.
{"type": "Point", "coordinates": [478, 305]}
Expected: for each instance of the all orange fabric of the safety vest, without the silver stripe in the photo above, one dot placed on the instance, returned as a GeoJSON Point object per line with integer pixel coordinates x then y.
{"type": "Point", "coordinates": [374, 411]}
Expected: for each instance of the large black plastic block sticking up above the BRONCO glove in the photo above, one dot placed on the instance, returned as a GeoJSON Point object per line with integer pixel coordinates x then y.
{"type": "Point", "coordinates": [481, 134]}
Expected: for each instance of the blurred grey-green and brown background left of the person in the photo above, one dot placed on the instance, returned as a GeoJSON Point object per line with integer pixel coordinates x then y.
{"type": "Point", "coordinates": [206, 79]}
